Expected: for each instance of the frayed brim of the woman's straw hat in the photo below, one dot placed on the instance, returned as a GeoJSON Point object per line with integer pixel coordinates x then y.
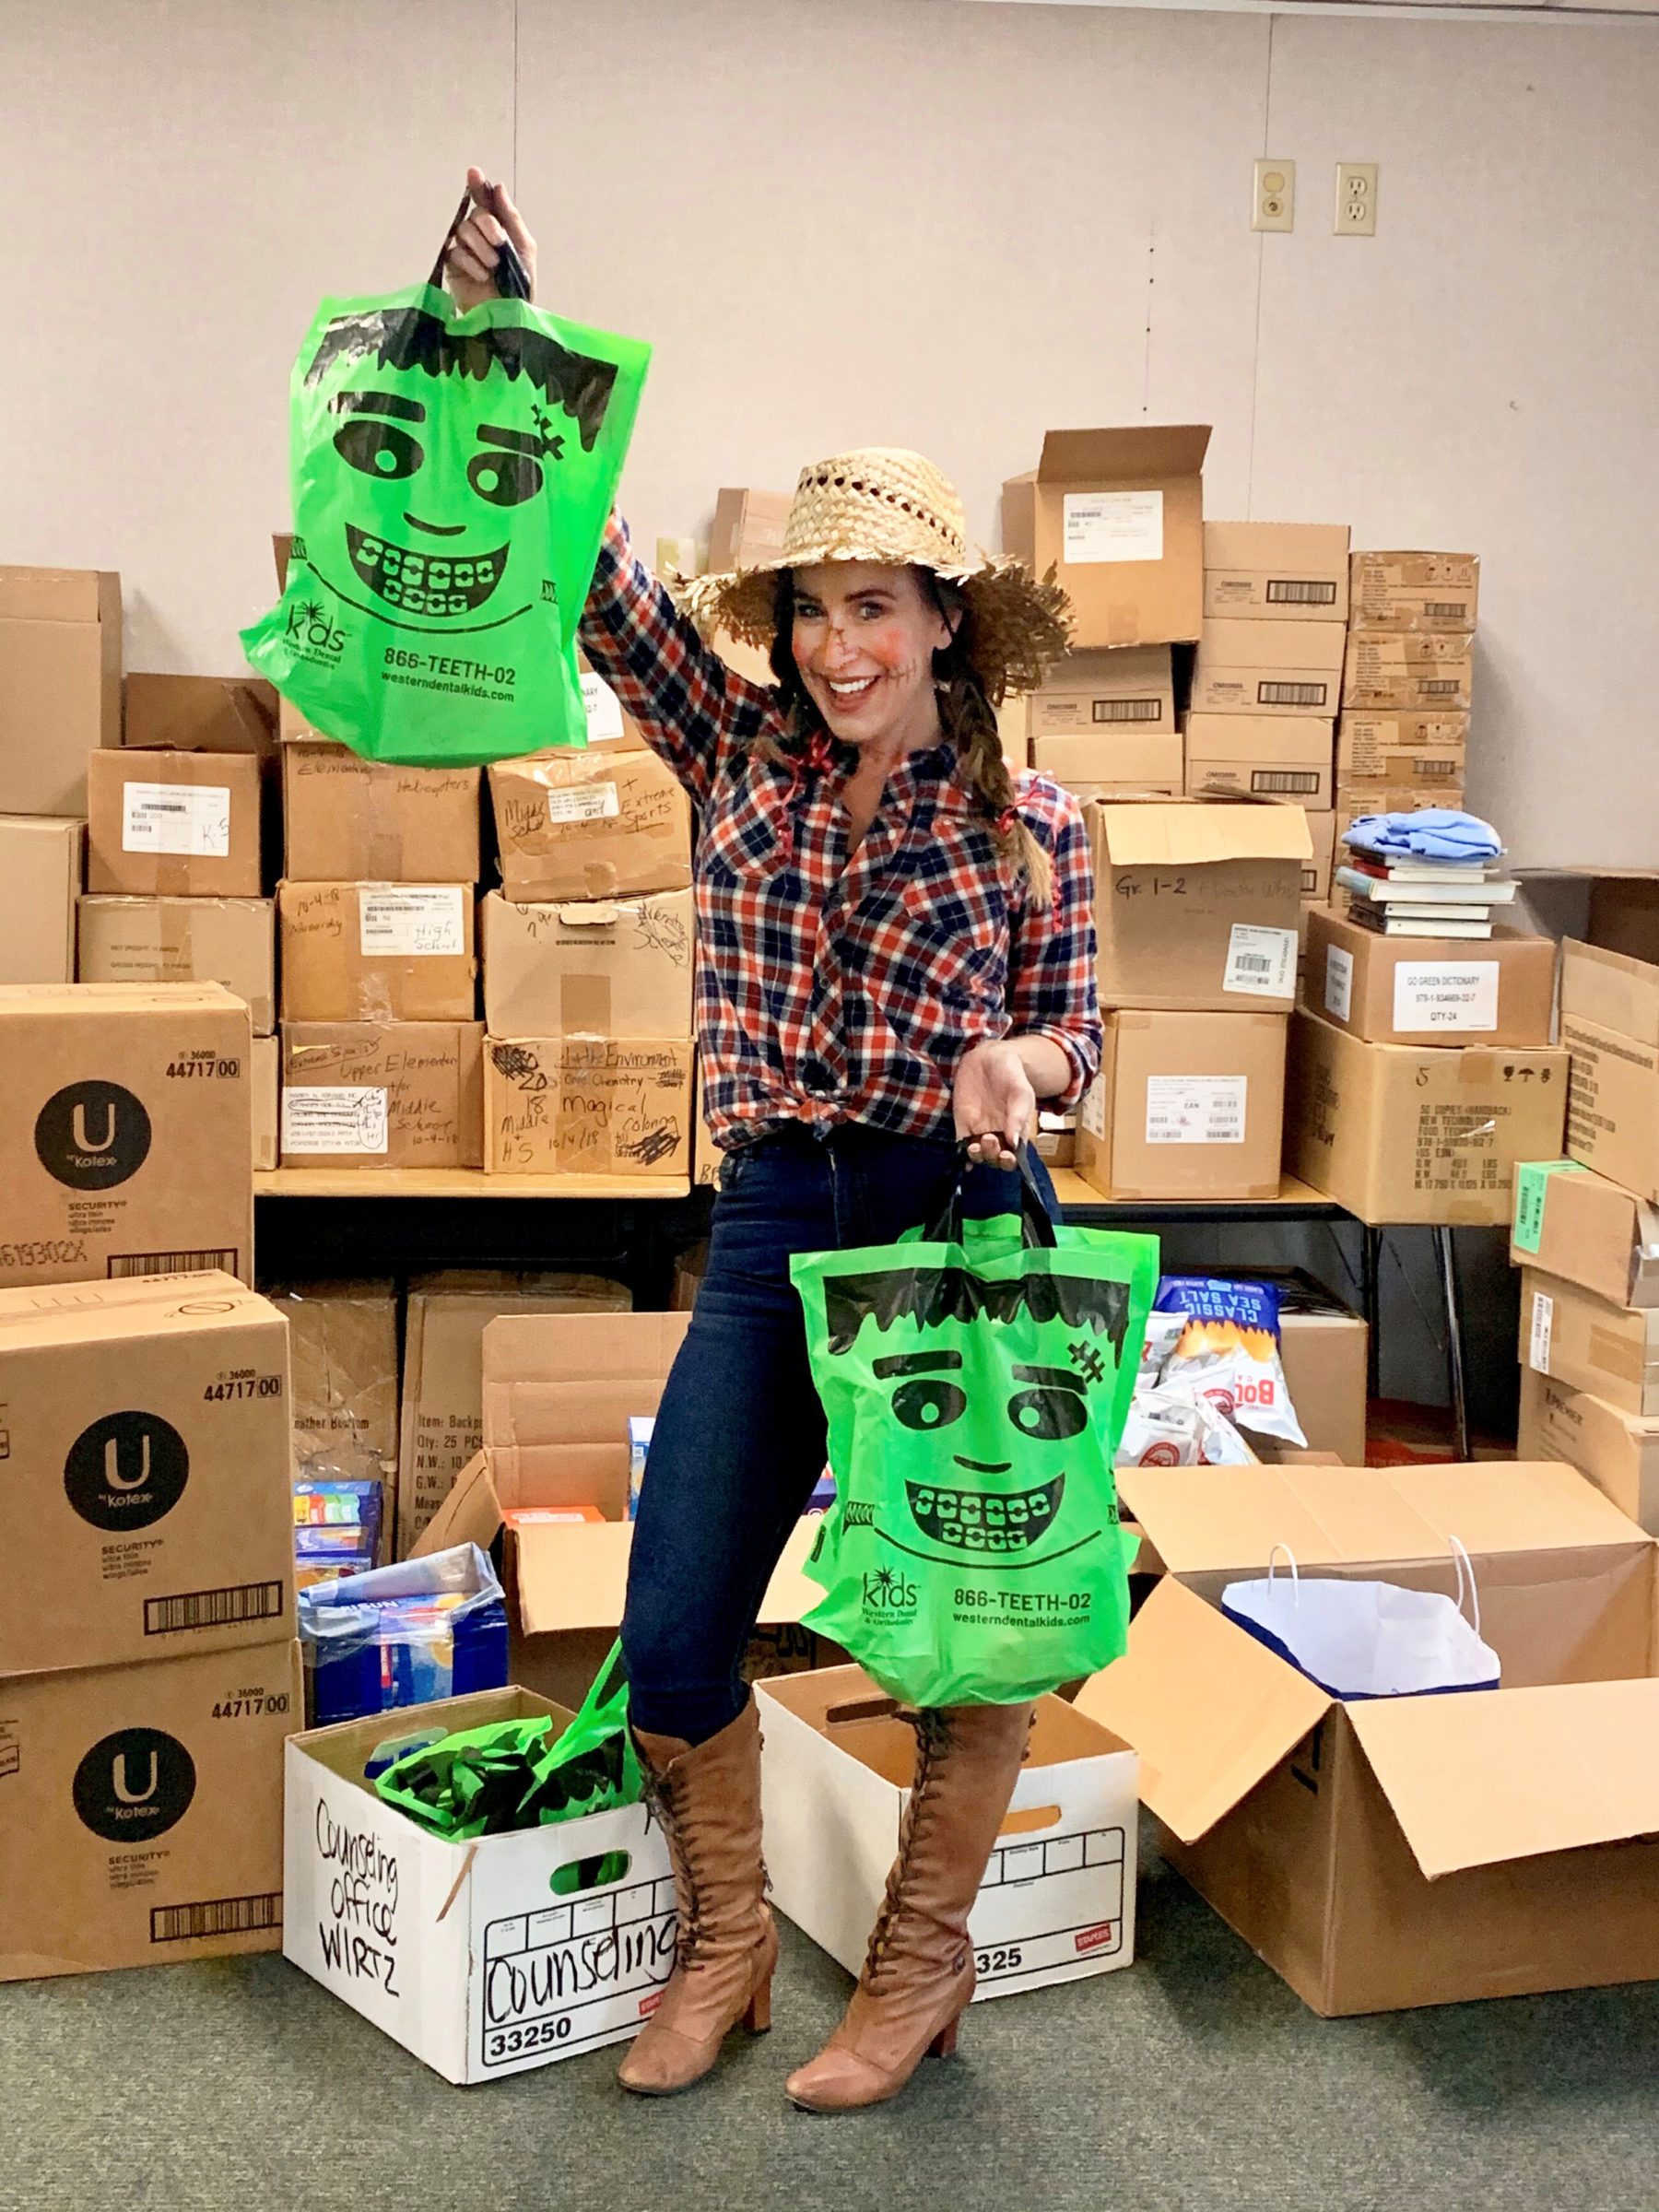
{"type": "Point", "coordinates": [1019, 627]}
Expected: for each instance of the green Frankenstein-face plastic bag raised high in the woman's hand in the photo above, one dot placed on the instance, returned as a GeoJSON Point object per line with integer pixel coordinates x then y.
{"type": "Point", "coordinates": [452, 479]}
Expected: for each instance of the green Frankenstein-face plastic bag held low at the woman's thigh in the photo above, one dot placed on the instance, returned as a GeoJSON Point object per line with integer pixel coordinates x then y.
{"type": "Point", "coordinates": [977, 1388]}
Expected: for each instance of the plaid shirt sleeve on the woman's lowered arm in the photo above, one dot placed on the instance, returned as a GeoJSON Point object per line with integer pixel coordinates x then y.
{"type": "Point", "coordinates": [1052, 954]}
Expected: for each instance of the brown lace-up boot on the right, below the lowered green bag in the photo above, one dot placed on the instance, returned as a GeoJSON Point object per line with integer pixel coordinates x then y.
{"type": "Point", "coordinates": [919, 1972]}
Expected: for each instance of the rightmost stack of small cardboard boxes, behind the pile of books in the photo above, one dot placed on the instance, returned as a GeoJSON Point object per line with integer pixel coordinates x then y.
{"type": "Point", "coordinates": [1404, 733]}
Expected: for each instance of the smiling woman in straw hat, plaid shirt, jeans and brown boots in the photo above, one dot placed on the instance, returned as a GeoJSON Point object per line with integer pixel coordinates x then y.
{"type": "Point", "coordinates": [897, 961]}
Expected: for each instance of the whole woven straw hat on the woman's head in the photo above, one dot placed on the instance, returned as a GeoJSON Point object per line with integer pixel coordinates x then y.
{"type": "Point", "coordinates": [895, 508]}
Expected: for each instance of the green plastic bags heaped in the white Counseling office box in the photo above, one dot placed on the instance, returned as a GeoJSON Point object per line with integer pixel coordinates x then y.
{"type": "Point", "coordinates": [508, 1775]}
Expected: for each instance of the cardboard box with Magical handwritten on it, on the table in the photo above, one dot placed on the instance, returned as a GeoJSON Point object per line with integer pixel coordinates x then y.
{"type": "Point", "coordinates": [587, 1107]}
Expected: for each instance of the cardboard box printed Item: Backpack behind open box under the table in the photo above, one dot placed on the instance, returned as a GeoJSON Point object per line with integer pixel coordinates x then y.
{"type": "Point", "coordinates": [444, 1373]}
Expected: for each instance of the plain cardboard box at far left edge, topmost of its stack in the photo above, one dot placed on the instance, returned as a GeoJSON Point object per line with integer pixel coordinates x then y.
{"type": "Point", "coordinates": [61, 685]}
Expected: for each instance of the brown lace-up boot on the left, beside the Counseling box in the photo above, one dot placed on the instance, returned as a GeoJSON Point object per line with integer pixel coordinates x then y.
{"type": "Point", "coordinates": [709, 1802]}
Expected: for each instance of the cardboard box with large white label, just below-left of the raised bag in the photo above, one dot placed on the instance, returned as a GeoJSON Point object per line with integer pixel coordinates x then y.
{"type": "Point", "coordinates": [174, 824]}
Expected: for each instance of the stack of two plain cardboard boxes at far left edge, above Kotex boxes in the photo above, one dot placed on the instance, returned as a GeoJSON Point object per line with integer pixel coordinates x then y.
{"type": "Point", "coordinates": [61, 698]}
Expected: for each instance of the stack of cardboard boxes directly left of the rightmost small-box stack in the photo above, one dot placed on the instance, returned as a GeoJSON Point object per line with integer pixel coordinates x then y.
{"type": "Point", "coordinates": [1269, 669]}
